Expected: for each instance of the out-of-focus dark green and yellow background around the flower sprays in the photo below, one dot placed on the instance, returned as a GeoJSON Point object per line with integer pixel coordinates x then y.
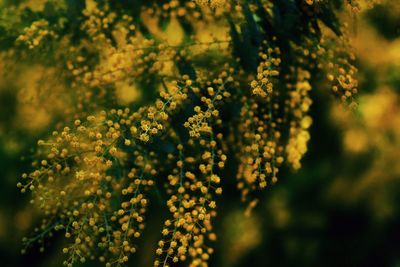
{"type": "Point", "coordinates": [341, 209]}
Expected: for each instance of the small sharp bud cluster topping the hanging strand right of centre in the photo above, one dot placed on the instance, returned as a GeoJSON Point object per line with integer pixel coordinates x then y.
{"type": "Point", "coordinates": [266, 70]}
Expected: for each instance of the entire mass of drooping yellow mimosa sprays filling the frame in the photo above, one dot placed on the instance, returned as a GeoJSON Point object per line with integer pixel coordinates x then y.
{"type": "Point", "coordinates": [92, 179]}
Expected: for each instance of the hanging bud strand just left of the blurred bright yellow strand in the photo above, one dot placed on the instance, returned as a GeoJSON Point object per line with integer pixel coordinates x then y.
{"type": "Point", "coordinates": [261, 148]}
